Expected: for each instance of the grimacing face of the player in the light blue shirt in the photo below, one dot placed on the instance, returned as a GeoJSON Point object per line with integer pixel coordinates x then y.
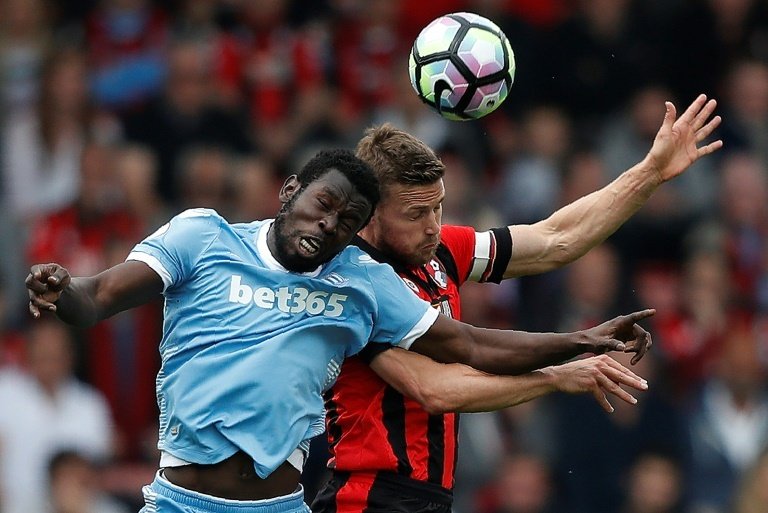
{"type": "Point", "coordinates": [316, 221]}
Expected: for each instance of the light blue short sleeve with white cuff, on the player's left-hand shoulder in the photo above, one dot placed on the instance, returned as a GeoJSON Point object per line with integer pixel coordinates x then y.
{"type": "Point", "coordinates": [173, 249]}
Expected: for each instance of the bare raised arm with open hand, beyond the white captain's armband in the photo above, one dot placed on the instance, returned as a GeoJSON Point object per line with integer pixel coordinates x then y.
{"type": "Point", "coordinates": [578, 227]}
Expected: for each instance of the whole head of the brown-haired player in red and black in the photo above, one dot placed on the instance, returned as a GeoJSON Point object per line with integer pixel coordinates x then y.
{"type": "Point", "coordinates": [406, 224]}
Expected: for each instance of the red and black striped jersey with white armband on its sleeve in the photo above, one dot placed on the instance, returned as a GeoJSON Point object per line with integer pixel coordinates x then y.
{"type": "Point", "coordinates": [372, 427]}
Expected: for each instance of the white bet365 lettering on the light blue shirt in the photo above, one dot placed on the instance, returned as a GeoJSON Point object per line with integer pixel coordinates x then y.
{"type": "Point", "coordinates": [287, 299]}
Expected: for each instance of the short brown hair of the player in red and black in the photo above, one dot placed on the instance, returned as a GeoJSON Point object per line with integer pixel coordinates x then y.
{"type": "Point", "coordinates": [397, 157]}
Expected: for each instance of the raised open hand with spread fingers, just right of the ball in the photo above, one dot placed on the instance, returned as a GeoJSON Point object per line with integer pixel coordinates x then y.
{"type": "Point", "coordinates": [676, 145]}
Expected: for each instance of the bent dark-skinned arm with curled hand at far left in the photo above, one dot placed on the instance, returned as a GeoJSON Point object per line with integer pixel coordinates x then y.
{"type": "Point", "coordinates": [84, 301]}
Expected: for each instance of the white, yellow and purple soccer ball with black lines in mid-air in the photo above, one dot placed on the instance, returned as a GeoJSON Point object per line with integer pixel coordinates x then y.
{"type": "Point", "coordinates": [462, 65]}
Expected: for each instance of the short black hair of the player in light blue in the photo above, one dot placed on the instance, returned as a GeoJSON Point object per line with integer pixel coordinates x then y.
{"type": "Point", "coordinates": [359, 174]}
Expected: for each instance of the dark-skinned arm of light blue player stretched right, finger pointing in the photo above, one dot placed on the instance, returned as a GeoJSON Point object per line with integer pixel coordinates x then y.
{"type": "Point", "coordinates": [516, 352]}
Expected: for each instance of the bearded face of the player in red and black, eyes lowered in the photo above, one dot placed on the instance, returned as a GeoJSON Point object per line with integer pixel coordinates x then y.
{"type": "Point", "coordinates": [406, 224]}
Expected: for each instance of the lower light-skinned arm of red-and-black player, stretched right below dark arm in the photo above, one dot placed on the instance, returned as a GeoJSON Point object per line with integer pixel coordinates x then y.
{"type": "Point", "coordinates": [441, 388]}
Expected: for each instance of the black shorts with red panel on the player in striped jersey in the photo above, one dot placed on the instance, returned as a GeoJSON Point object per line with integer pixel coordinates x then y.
{"type": "Point", "coordinates": [383, 492]}
